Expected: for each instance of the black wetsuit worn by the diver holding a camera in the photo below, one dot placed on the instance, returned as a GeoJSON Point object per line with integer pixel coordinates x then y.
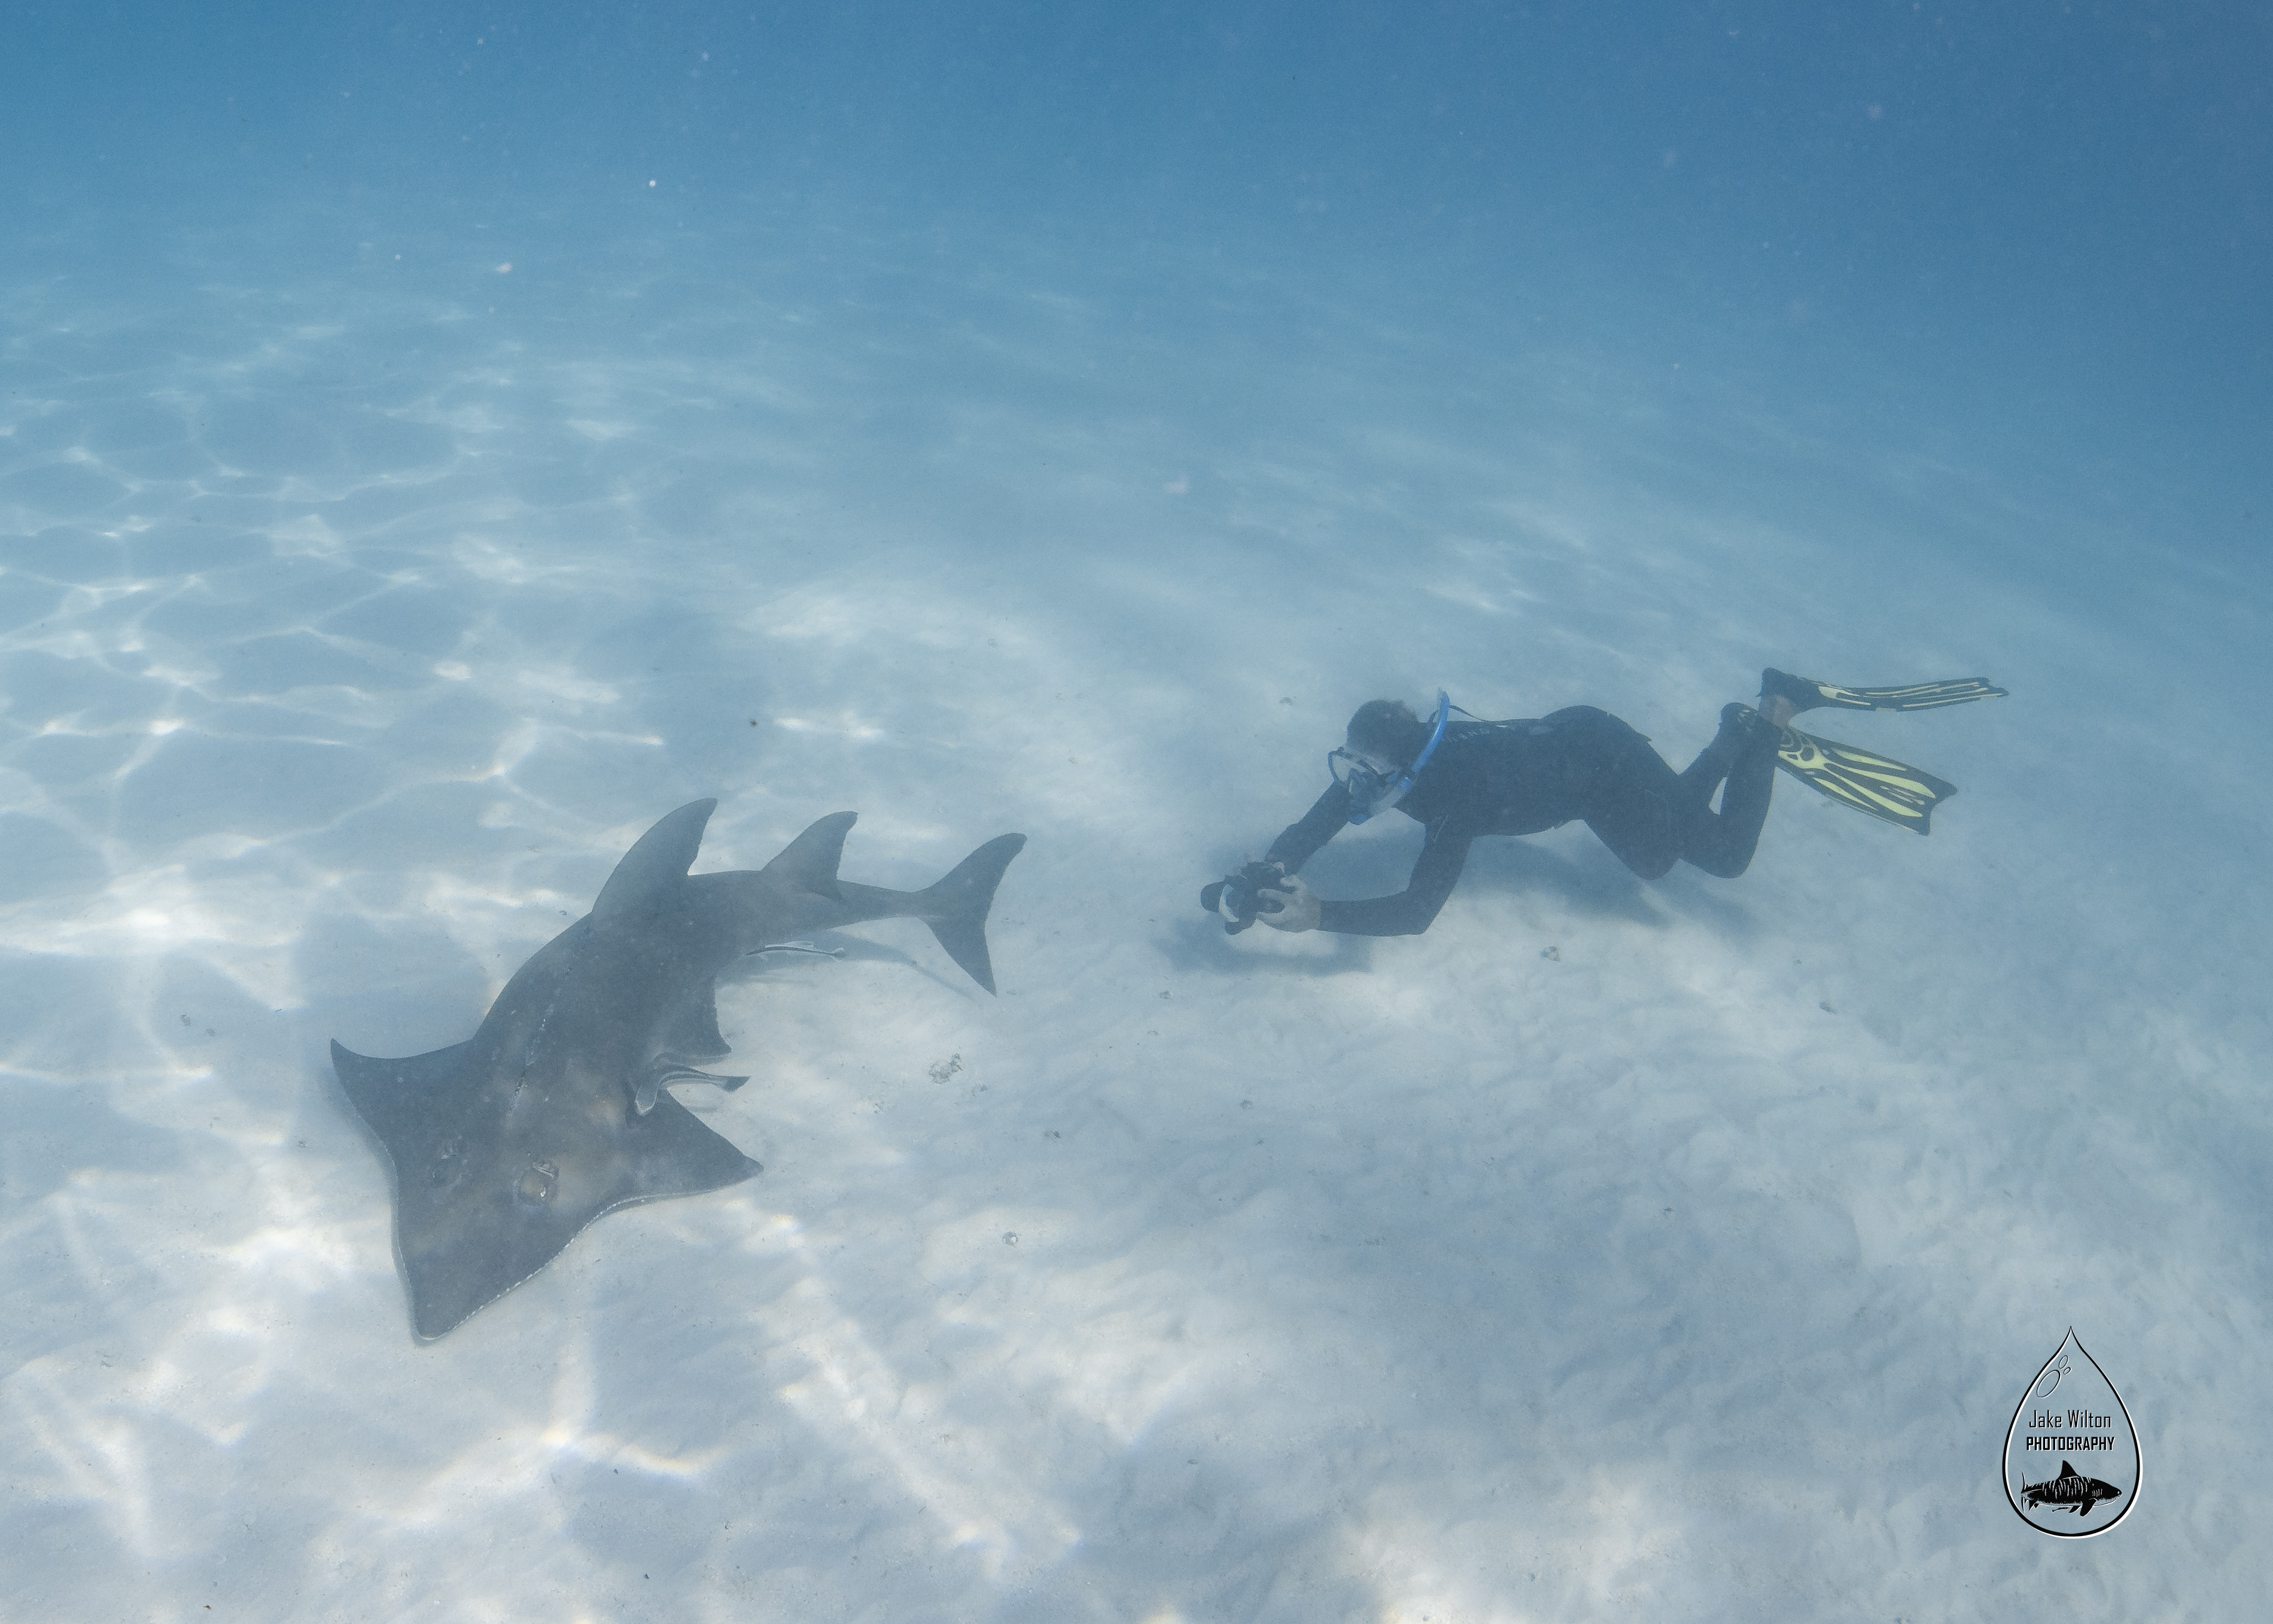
{"type": "Point", "coordinates": [1529, 777]}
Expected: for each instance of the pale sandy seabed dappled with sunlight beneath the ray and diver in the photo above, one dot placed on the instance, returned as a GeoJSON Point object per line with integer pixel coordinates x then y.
{"type": "Point", "coordinates": [1613, 1250]}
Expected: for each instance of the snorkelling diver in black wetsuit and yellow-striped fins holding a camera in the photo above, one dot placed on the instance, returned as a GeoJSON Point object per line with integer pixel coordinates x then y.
{"type": "Point", "coordinates": [1463, 779]}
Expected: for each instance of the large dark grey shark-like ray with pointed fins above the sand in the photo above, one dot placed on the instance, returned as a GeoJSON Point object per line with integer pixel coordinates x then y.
{"type": "Point", "coordinates": [558, 1109]}
